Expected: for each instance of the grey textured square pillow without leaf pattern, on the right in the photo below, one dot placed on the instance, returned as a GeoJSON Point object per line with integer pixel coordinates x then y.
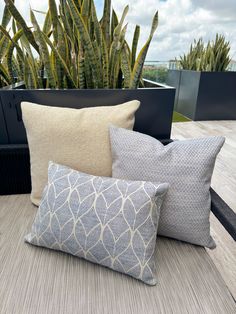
{"type": "Point", "coordinates": [186, 165]}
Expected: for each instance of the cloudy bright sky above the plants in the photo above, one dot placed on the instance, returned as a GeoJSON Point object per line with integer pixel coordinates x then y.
{"type": "Point", "coordinates": [180, 22]}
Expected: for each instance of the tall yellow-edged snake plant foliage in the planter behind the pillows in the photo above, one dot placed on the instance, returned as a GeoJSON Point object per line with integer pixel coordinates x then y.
{"type": "Point", "coordinates": [73, 49]}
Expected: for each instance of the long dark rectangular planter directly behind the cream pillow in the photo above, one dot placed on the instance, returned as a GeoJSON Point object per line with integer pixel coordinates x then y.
{"type": "Point", "coordinates": [154, 116]}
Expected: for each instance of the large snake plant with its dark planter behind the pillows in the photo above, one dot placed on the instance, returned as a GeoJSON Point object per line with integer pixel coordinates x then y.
{"type": "Point", "coordinates": [79, 59]}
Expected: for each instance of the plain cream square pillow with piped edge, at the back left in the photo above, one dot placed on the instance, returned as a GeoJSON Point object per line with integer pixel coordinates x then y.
{"type": "Point", "coordinates": [78, 138]}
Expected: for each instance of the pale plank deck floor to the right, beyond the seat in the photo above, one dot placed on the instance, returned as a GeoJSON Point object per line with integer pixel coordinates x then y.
{"type": "Point", "coordinates": [224, 183]}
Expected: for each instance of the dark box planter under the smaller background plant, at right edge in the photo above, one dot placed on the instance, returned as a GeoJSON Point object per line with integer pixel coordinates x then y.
{"type": "Point", "coordinates": [204, 95]}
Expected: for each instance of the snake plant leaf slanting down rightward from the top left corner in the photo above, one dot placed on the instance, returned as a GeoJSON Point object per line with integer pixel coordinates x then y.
{"type": "Point", "coordinates": [17, 16]}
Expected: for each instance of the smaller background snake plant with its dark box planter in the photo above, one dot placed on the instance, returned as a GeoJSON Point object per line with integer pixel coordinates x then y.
{"type": "Point", "coordinates": [205, 90]}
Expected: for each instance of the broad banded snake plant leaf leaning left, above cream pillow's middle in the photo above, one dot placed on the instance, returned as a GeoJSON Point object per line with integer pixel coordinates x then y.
{"type": "Point", "coordinates": [88, 46]}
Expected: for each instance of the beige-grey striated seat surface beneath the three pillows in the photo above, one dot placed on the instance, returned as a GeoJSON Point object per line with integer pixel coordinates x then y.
{"type": "Point", "coordinates": [40, 281]}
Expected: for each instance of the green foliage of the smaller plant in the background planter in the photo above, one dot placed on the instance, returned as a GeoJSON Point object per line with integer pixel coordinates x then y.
{"type": "Point", "coordinates": [212, 57]}
